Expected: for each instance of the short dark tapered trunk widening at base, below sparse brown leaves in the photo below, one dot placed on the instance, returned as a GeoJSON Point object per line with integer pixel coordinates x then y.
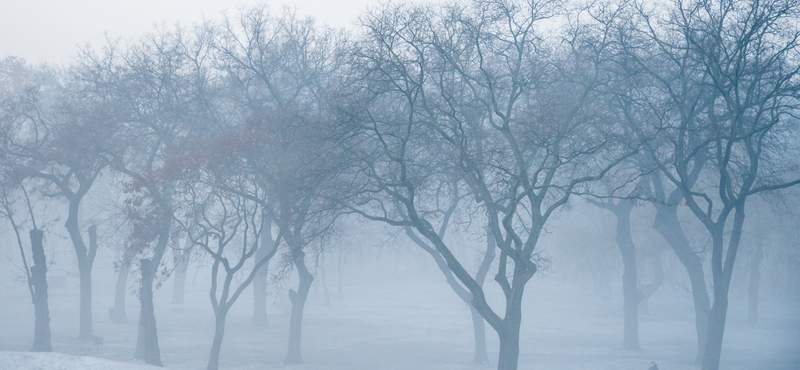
{"type": "Point", "coordinates": [147, 343]}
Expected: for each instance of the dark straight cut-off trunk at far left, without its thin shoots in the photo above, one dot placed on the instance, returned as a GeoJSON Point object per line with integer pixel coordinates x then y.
{"type": "Point", "coordinates": [41, 336]}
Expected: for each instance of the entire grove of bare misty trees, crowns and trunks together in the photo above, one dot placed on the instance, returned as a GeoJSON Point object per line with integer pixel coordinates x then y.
{"type": "Point", "coordinates": [242, 142]}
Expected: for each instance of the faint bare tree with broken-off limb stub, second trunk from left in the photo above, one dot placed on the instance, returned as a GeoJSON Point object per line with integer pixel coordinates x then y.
{"type": "Point", "coordinates": [61, 134]}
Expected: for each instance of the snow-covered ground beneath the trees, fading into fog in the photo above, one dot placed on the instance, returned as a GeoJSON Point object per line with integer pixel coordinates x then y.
{"type": "Point", "coordinates": [399, 320]}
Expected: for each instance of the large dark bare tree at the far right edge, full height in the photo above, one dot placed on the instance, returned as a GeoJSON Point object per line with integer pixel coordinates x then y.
{"type": "Point", "coordinates": [727, 72]}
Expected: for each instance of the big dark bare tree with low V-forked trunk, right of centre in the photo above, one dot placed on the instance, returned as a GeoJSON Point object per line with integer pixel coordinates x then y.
{"type": "Point", "coordinates": [477, 90]}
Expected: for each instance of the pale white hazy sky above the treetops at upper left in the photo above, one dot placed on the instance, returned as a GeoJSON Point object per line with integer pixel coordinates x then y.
{"type": "Point", "coordinates": [51, 30]}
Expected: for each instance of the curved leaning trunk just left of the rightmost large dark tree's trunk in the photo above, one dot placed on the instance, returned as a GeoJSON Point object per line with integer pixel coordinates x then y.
{"type": "Point", "coordinates": [667, 224]}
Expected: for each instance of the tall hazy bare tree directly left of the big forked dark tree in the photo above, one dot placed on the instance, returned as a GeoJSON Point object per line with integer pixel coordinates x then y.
{"type": "Point", "coordinates": [279, 67]}
